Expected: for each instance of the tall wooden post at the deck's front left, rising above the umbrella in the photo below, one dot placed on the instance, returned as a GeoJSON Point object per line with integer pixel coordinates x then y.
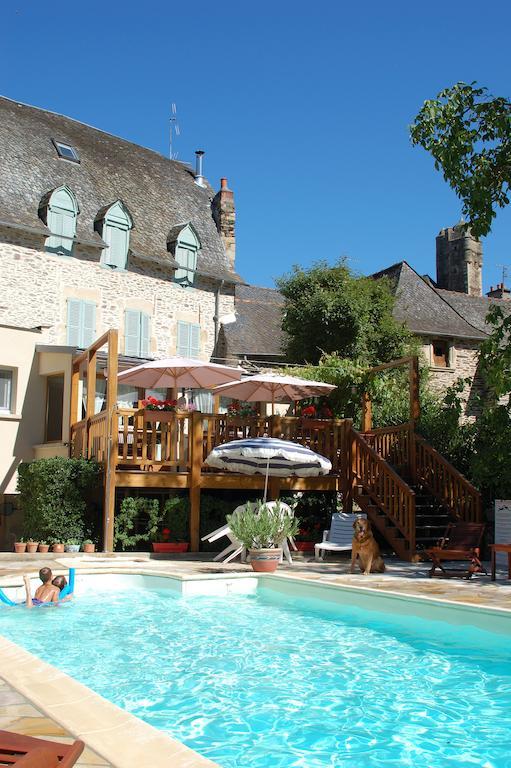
{"type": "Point", "coordinates": [112, 439]}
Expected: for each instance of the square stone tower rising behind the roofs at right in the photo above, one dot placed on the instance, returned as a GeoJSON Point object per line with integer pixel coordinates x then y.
{"type": "Point", "coordinates": [459, 261]}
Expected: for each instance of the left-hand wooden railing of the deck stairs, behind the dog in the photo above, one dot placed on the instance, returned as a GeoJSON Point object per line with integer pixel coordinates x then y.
{"type": "Point", "coordinates": [388, 491]}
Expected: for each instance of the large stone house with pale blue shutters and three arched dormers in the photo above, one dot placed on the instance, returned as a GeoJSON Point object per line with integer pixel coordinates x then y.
{"type": "Point", "coordinates": [97, 233]}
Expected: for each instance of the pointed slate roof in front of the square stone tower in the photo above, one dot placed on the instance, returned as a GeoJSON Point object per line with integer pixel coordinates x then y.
{"type": "Point", "coordinates": [426, 310]}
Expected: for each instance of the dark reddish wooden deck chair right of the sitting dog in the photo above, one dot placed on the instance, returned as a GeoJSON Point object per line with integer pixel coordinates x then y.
{"type": "Point", "coordinates": [460, 542]}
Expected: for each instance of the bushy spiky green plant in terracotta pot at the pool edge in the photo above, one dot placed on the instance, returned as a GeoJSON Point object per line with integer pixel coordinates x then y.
{"type": "Point", "coordinates": [262, 529]}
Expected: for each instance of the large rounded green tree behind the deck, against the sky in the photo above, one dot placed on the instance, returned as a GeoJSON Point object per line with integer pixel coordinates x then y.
{"type": "Point", "coordinates": [329, 309]}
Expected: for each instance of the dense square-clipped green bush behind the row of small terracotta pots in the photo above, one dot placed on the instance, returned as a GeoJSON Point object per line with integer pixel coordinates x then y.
{"type": "Point", "coordinates": [53, 496]}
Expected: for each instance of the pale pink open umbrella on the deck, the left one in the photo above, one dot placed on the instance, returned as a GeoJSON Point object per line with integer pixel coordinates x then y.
{"type": "Point", "coordinates": [179, 372]}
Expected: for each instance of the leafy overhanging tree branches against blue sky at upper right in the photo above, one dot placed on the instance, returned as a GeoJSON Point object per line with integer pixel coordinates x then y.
{"type": "Point", "coordinates": [468, 132]}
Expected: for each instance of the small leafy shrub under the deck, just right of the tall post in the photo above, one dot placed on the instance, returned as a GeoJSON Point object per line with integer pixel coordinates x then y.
{"type": "Point", "coordinates": [128, 532]}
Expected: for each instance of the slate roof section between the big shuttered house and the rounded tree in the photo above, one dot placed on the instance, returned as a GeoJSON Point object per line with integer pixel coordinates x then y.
{"type": "Point", "coordinates": [258, 327]}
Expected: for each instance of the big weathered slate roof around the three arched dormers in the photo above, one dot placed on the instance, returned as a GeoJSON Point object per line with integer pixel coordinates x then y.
{"type": "Point", "coordinates": [159, 193]}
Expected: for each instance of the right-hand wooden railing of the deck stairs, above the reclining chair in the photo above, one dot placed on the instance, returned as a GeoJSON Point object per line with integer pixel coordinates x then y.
{"type": "Point", "coordinates": [448, 485]}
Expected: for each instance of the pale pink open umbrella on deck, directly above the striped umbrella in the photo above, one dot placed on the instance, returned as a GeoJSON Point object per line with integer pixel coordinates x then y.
{"type": "Point", "coordinates": [272, 388]}
